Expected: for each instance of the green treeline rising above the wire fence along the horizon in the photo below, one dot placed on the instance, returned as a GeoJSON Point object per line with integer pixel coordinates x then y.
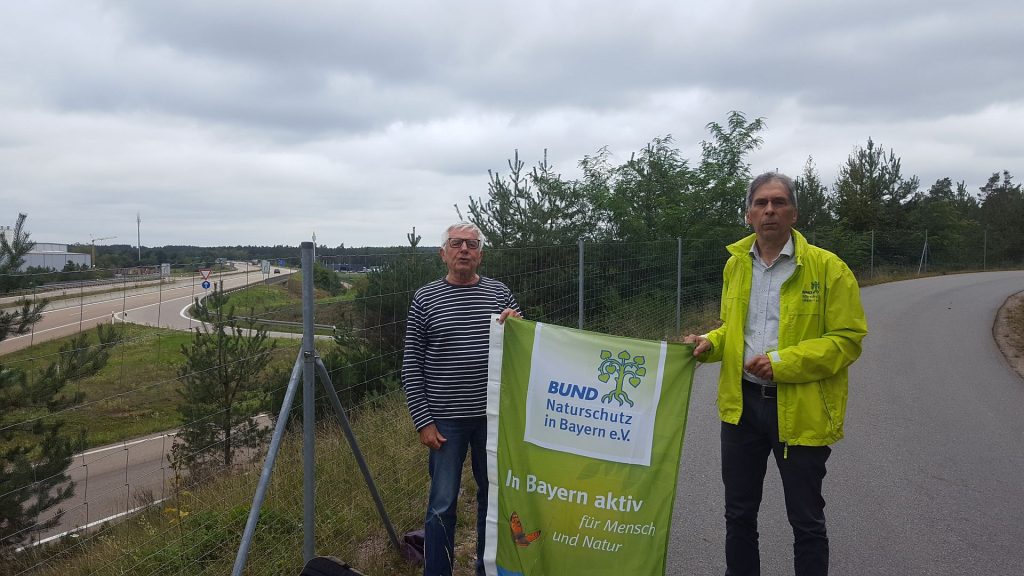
{"type": "Point", "coordinates": [658, 195]}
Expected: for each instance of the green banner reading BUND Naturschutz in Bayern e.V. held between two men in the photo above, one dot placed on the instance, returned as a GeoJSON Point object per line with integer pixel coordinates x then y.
{"type": "Point", "coordinates": [585, 436]}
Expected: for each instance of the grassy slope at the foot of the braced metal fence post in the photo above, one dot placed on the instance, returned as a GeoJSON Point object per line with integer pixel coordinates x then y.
{"type": "Point", "coordinates": [197, 531]}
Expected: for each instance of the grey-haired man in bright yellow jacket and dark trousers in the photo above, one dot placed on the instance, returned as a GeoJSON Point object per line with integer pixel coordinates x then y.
{"type": "Point", "coordinates": [792, 325]}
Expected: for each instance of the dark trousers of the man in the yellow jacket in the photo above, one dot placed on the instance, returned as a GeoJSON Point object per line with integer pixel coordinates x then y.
{"type": "Point", "coordinates": [745, 460]}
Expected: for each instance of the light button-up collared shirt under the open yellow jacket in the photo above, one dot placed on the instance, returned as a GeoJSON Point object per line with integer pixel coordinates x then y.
{"type": "Point", "coordinates": [761, 332]}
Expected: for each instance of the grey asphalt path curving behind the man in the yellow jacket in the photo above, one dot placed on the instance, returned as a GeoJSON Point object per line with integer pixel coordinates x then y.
{"type": "Point", "coordinates": [930, 478]}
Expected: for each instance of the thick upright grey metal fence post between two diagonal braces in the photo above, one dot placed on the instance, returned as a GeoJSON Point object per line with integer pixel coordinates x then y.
{"type": "Point", "coordinates": [309, 410]}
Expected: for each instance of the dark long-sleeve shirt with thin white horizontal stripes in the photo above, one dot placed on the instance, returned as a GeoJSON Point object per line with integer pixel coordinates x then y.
{"type": "Point", "coordinates": [445, 368]}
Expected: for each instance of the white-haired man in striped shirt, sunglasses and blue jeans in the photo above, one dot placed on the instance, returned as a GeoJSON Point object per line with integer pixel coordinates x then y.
{"type": "Point", "coordinates": [445, 375]}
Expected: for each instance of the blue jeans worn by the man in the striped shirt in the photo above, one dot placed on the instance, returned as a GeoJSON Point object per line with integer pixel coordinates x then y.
{"type": "Point", "coordinates": [446, 478]}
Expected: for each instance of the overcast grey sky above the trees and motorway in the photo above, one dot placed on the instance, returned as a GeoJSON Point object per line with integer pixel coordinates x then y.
{"type": "Point", "coordinates": [251, 122]}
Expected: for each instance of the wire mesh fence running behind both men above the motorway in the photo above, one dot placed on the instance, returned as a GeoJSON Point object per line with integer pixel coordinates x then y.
{"type": "Point", "coordinates": [143, 507]}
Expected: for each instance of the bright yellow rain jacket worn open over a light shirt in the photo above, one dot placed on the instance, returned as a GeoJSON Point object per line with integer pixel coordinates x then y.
{"type": "Point", "coordinates": [822, 324]}
